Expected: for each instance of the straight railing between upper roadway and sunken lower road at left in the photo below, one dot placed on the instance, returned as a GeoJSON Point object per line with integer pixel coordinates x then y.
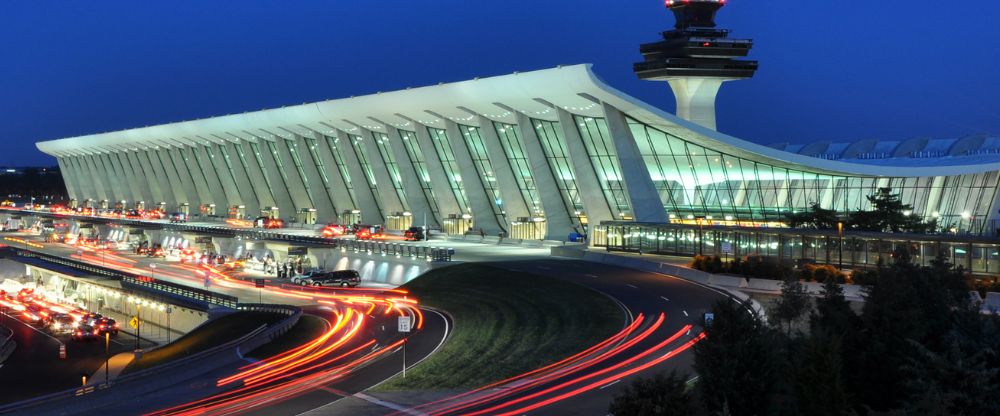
{"type": "Point", "coordinates": [191, 293]}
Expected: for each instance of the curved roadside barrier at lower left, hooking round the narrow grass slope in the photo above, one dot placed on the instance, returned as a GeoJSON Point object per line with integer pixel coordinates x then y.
{"type": "Point", "coordinates": [128, 387]}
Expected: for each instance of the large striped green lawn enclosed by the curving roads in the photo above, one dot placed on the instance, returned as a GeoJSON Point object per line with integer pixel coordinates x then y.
{"type": "Point", "coordinates": [505, 324]}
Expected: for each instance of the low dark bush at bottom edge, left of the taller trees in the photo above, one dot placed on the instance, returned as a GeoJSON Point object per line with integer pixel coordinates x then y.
{"type": "Point", "coordinates": [660, 395]}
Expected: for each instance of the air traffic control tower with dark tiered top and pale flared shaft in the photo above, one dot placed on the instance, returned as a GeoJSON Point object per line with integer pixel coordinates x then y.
{"type": "Point", "coordinates": [695, 58]}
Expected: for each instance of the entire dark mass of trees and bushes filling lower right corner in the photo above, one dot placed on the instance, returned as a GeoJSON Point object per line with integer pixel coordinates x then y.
{"type": "Point", "coordinates": [918, 346]}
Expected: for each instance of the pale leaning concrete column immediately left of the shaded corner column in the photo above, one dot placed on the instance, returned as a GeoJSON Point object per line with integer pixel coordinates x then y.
{"type": "Point", "coordinates": [594, 201]}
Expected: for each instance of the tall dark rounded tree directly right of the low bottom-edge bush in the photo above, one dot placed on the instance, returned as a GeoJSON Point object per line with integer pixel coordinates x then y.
{"type": "Point", "coordinates": [736, 362]}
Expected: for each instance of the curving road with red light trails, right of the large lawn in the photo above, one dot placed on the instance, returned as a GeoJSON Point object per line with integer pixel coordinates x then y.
{"type": "Point", "coordinates": [666, 314]}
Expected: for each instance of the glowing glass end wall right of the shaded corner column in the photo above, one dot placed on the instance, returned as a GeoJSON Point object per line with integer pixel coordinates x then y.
{"type": "Point", "coordinates": [693, 181]}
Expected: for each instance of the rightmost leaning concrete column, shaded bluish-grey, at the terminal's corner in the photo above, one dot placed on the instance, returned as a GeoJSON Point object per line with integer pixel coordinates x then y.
{"type": "Point", "coordinates": [642, 194]}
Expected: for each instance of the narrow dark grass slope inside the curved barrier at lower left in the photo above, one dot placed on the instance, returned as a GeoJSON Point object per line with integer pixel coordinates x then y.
{"type": "Point", "coordinates": [213, 333]}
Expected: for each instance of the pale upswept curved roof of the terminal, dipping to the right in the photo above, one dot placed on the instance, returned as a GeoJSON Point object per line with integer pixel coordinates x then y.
{"type": "Point", "coordinates": [573, 88]}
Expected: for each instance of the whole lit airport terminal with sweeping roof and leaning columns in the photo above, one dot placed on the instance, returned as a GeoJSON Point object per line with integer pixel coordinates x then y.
{"type": "Point", "coordinates": [534, 155]}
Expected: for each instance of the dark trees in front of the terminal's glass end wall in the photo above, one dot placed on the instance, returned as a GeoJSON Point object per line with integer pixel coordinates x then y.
{"type": "Point", "coordinates": [888, 214]}
